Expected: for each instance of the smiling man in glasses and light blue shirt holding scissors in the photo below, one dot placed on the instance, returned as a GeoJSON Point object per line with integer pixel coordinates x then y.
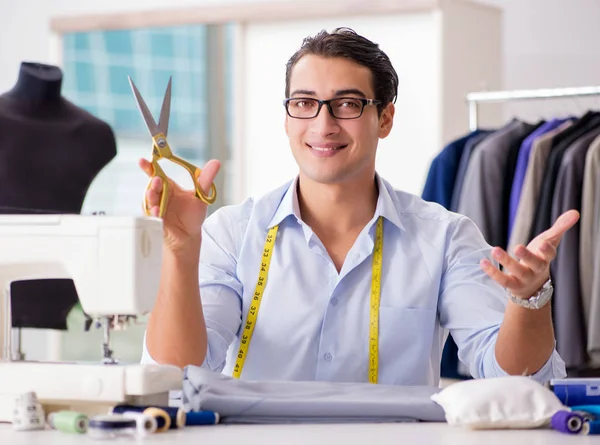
{"type": "Point", "coordinates": [337, 276]}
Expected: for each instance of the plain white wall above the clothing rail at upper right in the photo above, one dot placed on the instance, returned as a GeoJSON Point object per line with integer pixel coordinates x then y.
{"type": "Point", "coordinates": [548, 44]}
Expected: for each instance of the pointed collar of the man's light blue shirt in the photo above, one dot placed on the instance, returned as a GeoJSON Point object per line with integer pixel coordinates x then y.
{"type": "Point", "coordinates": [386, 207]}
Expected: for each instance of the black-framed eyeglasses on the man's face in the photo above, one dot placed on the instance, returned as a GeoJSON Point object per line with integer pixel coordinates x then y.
{"type": "Point", "coordinates": [340, 107]}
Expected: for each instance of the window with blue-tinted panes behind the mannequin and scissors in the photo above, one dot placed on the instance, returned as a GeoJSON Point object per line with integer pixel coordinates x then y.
{"type": "Point", "coordinates": [96, 67]}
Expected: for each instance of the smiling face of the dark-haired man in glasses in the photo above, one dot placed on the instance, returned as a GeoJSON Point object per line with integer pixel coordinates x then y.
{"type": "Point", "coordinates": [330, 150]}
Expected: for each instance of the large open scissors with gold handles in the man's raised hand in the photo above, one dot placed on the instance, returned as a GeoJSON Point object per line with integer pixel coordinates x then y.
{"type": "Point", "coordinates": [161, 149]}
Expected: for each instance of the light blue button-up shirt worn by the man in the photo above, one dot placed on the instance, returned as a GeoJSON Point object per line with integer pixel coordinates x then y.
{"type": "Point", "coordinates": [313, 322]}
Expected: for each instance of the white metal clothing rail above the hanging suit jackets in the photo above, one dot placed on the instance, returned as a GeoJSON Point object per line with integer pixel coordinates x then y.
{"type": "Point", "coordinates": [473, 99]}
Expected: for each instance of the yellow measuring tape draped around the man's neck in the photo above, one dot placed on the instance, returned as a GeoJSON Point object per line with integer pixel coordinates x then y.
{"type": "Point", "coordinates": [374, 306]}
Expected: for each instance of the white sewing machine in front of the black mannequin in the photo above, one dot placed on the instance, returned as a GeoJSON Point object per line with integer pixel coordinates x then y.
{"type": "Point", "coordinates": [115, 265]}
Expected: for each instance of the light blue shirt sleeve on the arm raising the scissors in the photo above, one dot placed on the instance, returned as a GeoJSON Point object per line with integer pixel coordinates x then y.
{"type": "Point", "coordinates": [220, 288]}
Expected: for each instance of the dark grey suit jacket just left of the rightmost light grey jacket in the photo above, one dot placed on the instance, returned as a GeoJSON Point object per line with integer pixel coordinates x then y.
{"type": "Point", "coordinates": [568, 314]}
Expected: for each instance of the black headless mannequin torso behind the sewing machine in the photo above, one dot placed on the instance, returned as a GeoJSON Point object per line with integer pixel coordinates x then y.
{"type": "Point", "coordinates": [50, 152]}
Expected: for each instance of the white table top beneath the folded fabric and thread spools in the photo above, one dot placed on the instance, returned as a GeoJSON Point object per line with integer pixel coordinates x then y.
{"type": "Point", "coordinates": [439, 433]}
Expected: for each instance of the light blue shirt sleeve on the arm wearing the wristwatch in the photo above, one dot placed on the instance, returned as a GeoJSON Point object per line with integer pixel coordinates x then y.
{"type": "Point", "coordinates": [472, 305]}
